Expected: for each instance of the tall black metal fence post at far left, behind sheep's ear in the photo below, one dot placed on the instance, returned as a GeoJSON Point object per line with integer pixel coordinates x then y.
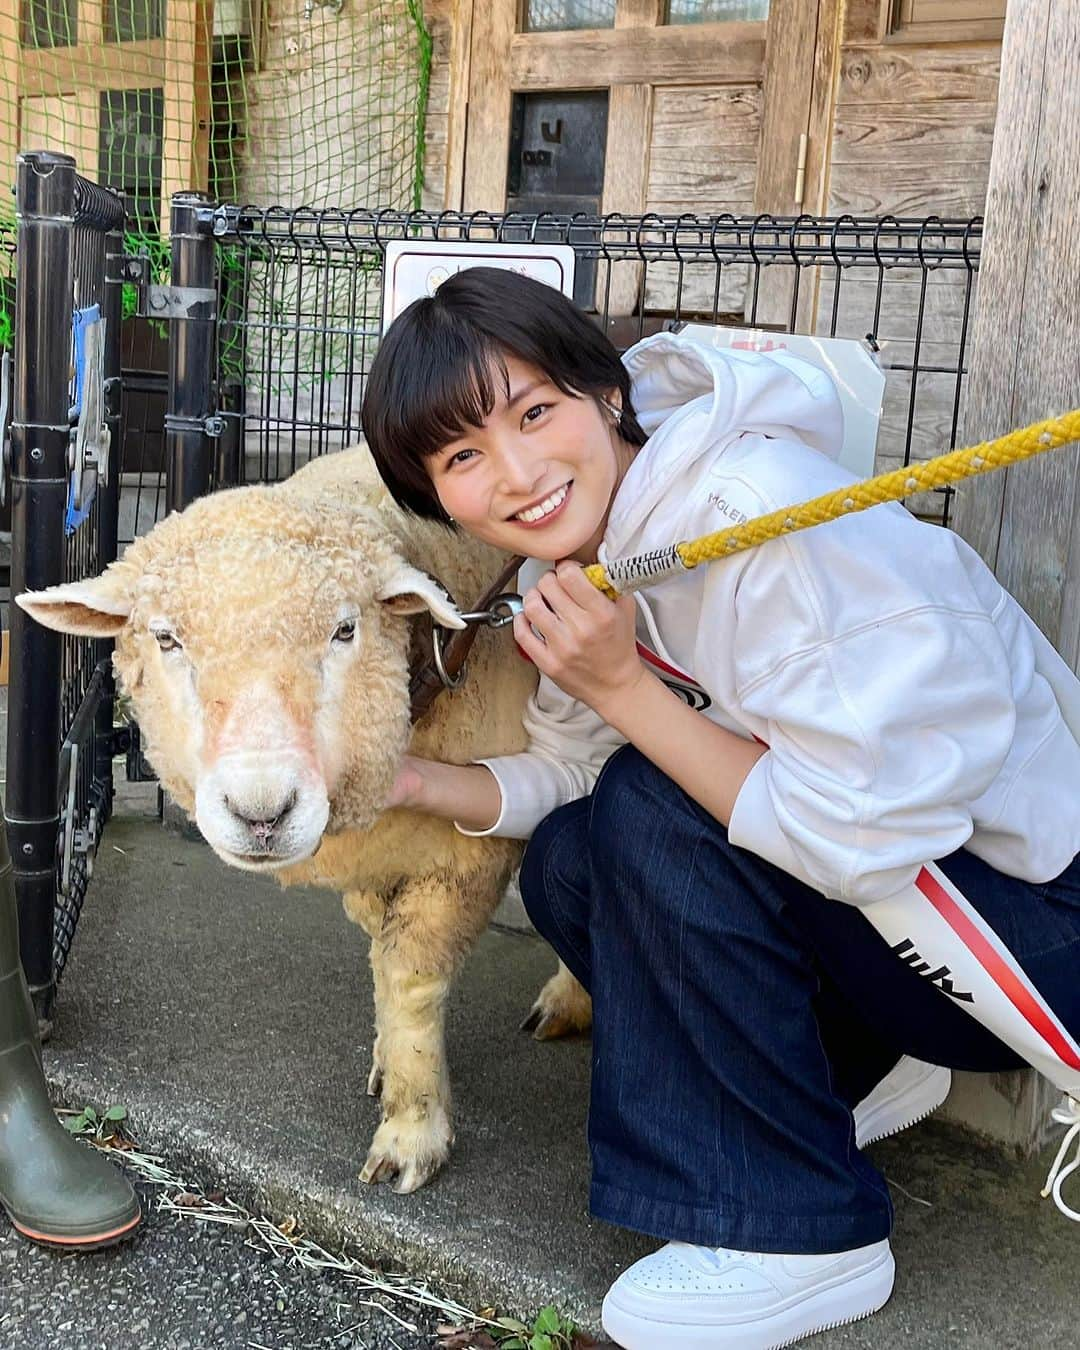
{"type": "Point", "coordinates": [40, 439]}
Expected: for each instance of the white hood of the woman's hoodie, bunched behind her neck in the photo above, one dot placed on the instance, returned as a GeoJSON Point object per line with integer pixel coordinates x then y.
{"type": "Point", "coordinates": [691, 399]}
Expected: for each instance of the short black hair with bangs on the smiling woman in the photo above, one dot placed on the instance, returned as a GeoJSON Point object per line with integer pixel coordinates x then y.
{"type": "Point", "coordinates": [434, 373]}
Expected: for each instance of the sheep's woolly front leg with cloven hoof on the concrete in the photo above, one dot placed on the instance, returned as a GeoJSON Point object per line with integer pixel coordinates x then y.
{"type": "Point", "coordinates": [414, 959]}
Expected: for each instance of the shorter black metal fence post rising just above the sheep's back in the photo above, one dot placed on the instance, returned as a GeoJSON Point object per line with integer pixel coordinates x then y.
{"type": "Point", "coordinates": [188, 452]}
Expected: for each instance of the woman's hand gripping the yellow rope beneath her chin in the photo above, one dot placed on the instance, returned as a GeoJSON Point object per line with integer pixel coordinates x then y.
{"type": "Point", "coordinates": [587, 643]}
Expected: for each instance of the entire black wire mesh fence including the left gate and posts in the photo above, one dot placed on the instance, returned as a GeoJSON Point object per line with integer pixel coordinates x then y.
{"type": "Point", "coordinates": [271, 319]}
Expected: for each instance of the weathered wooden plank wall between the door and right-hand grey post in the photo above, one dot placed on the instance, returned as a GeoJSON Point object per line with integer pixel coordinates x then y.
{"type": "Point", "coordinates": [913, 134]}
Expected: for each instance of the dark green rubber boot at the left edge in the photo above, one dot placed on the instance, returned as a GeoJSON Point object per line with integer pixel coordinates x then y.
{"type": "Point", "coordinates": [55, 1190]}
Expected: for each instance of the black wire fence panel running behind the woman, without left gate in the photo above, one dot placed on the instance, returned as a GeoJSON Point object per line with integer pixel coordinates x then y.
{"type": "Point", "coordinates": [299, 313]}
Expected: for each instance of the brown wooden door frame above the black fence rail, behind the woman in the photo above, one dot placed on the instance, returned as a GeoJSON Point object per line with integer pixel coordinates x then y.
{"type": "Point", "coordinates": [491, 61]}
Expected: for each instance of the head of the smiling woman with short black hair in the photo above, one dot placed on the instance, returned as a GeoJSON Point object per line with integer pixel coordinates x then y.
{"type": "Point", "coordinates": [481, 346]}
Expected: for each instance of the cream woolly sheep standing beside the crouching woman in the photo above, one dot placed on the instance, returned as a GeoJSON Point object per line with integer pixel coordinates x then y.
{"type": "Point", "coordinates": [265, 638]}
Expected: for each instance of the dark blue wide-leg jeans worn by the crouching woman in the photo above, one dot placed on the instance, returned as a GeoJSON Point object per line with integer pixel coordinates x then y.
{"type": "Point", "coordinates": [739, 1016]}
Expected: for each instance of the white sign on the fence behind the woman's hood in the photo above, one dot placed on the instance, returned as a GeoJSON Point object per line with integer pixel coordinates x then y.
{"type": "Point", "coordinates": [858, 377]}
